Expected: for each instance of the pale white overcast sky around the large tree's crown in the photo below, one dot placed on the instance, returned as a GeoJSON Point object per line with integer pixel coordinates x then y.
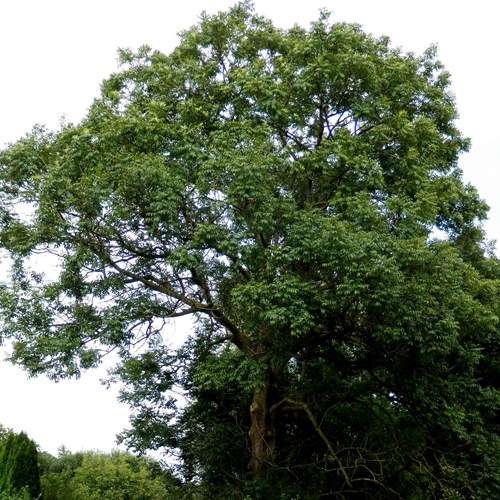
{"type": "Point", "coordinates": [55, 53]}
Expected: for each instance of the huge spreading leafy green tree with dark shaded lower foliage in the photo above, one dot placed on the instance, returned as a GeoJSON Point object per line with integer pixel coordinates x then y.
{"type": "Point", "coordinates": [297, 193]}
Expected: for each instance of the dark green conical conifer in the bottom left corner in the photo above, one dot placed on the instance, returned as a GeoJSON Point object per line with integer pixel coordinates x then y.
{"type": "Point", "coordinates": [19, 466]}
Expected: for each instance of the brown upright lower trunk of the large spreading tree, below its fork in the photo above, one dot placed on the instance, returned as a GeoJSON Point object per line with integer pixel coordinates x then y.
{"type": "Point", "coordinates": [262, 431]}
